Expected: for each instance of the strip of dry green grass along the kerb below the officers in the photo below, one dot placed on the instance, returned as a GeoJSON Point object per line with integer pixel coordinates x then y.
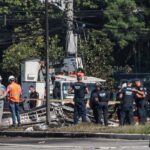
{"type": "Point", "coordinates": [92, 128]}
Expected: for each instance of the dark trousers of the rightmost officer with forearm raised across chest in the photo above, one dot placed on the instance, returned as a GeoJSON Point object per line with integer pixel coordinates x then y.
{"type": "Point", "coordinates": [141, 111]}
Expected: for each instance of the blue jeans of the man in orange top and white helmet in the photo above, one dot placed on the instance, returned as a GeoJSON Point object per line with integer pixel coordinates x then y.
{"type": "Point", "coordinates": [14, 109]}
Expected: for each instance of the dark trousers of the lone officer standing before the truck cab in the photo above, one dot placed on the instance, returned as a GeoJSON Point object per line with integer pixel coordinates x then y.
{"type": "Point", "coordinates": [79, 111]}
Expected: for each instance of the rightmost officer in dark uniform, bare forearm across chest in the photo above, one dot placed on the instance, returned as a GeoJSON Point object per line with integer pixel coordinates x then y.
{"type": "Point", "coordinates": [140, 99]}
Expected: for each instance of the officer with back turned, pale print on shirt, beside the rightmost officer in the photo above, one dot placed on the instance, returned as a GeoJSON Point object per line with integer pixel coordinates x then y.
{"type": "Point", "coordinates": [127, 99]}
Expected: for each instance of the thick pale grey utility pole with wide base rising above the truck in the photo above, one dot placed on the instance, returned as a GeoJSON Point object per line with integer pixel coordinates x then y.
{"type": "Point", "coordinates": [72, 61]}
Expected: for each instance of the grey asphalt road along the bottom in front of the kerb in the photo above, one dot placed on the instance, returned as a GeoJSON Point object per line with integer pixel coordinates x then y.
{"type": "Point", "coordinates": [8, 143]}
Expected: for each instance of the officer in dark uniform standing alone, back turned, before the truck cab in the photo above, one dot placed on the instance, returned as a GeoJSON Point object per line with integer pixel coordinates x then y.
{"type": "Point", "coordinates": [80, 90]}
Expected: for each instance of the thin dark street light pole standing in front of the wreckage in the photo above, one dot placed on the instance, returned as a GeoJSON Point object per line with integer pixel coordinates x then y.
{"type": "Point", "coordinates": [47, 65]}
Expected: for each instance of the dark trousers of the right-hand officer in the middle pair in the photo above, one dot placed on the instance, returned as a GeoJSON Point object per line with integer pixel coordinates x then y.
{"type": "Point", "coordinates": [103, 112]}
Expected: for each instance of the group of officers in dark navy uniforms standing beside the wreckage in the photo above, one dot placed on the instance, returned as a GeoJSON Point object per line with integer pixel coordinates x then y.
{"type": "Point", "coordinates": [130, 94]}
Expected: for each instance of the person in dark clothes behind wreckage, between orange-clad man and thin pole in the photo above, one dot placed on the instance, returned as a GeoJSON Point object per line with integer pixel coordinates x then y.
{"type": "Point", "coordinates": [33, 95]}
